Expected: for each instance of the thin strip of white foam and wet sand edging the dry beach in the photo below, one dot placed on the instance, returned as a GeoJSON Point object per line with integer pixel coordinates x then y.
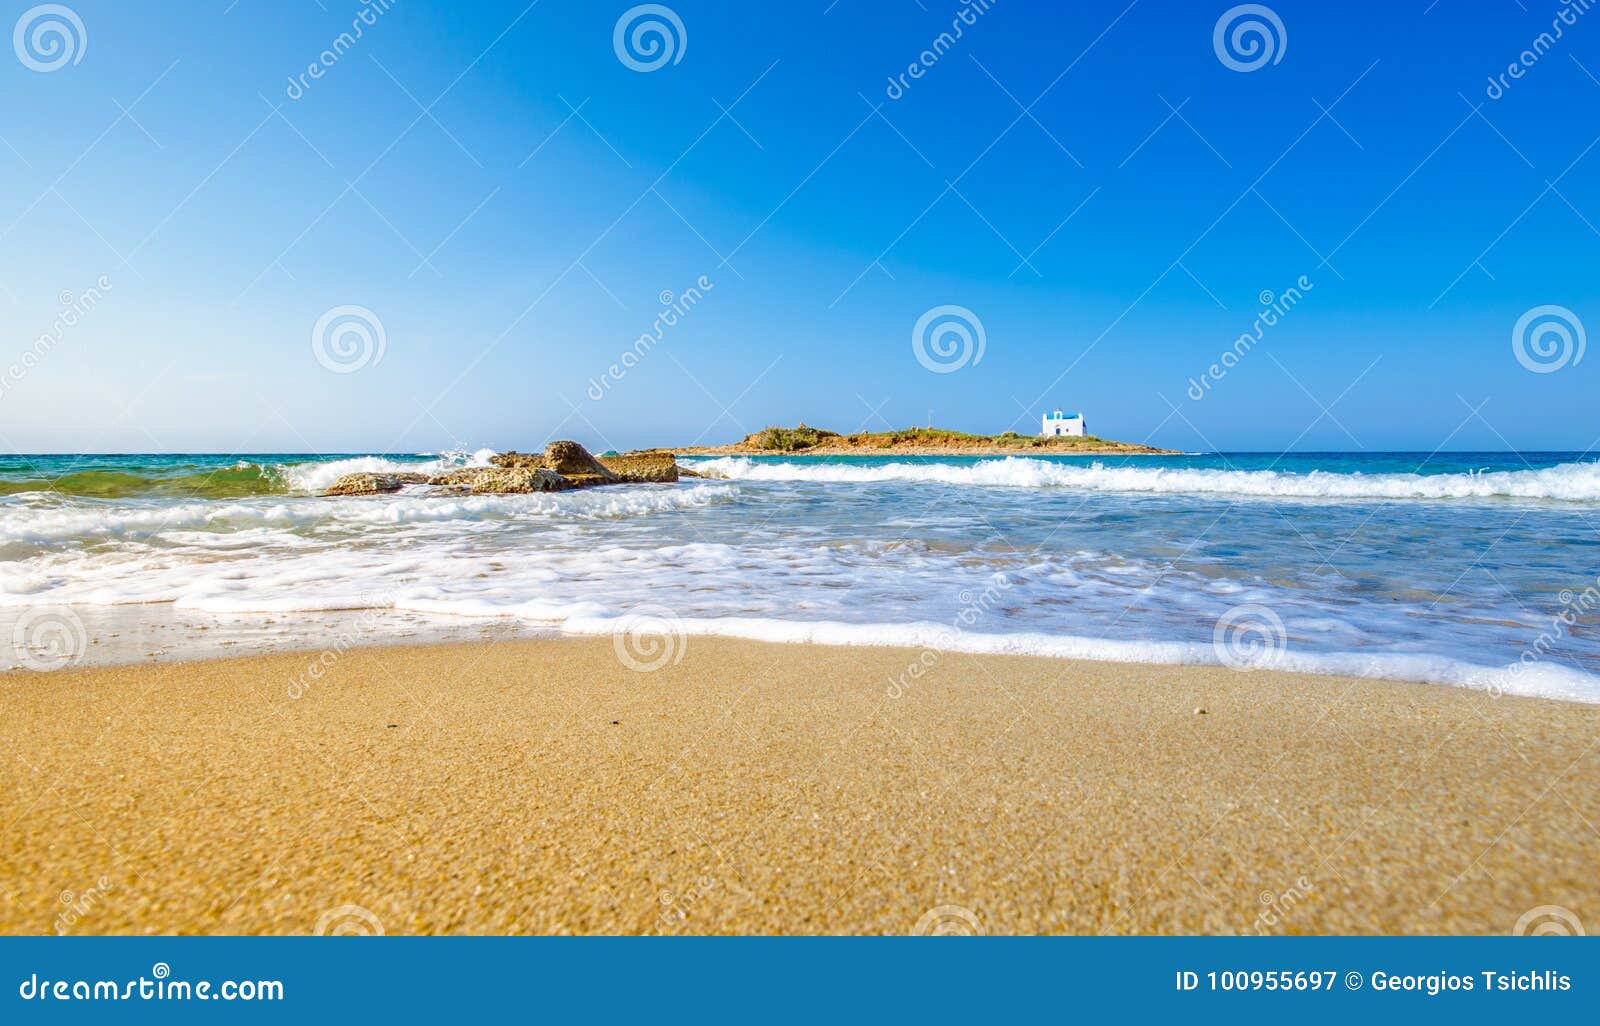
{"type": "Point", "coordinates": [196, 636]}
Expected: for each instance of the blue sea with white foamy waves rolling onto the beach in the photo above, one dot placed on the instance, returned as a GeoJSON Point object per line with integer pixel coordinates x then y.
{"type": "Point", "coordinates": [1476, 571]}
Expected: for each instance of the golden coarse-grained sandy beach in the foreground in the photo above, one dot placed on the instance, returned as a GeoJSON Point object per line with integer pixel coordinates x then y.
{"type": "Point", "coordinates": [543, 787]}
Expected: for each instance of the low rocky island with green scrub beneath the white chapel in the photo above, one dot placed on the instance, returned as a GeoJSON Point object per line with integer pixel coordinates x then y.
{"type": "Point", "coordinates": [806, 441]}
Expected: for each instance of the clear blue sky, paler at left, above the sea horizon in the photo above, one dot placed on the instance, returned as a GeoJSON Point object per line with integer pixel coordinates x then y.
{"type": "Point", "coordinates": [452, 234]}
